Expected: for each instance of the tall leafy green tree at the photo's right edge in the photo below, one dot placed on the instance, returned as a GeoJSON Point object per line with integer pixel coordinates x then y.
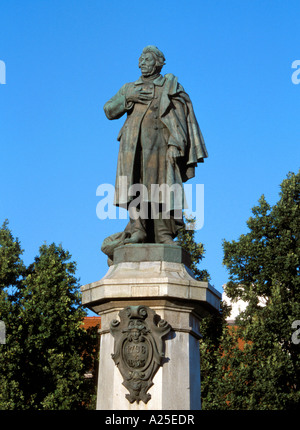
{"type": "Point", "coordinates": [264, 272]}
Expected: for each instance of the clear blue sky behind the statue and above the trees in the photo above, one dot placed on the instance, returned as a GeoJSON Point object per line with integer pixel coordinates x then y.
{"type": "Point", "coordinates": [65, 59]}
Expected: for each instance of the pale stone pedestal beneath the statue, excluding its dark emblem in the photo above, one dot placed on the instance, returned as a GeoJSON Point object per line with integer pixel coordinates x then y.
{"type": "Point", "coordinates": [157, 277]}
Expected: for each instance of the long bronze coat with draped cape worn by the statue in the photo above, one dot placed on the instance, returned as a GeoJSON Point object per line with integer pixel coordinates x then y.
{"type": "Point", "coordinates": [168, 119]}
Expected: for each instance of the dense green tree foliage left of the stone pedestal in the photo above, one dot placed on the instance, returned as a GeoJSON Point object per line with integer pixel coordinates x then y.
{"type": "Point", "coordinates": [47, 351]}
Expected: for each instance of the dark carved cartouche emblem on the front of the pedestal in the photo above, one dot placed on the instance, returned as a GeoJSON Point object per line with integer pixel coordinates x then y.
{"type": "Point", "coordinates": [138, 349]}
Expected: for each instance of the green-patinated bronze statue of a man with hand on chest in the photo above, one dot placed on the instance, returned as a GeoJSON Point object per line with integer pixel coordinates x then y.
{"type": "Point", "coordinates": [160, 143]}
